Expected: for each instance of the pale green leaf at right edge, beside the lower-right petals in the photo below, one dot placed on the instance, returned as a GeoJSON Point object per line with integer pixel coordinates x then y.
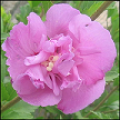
{"type": "Point", "coordinates": [111, 75]}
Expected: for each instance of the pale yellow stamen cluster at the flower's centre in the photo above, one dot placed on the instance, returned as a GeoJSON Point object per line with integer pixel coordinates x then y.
{"type": "Point", "coordinates": [49, 64]}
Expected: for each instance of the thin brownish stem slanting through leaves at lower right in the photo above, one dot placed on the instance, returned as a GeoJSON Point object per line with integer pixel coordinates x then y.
{"type": "Point", "coordinates": [100, 104]}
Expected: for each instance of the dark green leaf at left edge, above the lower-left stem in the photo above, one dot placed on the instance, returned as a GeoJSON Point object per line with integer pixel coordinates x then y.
{"type": "Point", "coordinates": [4, 92]}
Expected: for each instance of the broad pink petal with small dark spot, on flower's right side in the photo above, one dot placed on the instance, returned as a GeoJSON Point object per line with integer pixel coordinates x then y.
{"type": "Point", "coordinates": [95, 46]}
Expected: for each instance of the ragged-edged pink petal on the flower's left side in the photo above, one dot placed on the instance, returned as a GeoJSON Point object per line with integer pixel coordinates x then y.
{"type": "Point", "coordinates": [21, 44]}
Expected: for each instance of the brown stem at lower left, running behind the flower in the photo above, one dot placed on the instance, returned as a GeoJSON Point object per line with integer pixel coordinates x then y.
{"type": "Point", "coordinates": [11, 103]}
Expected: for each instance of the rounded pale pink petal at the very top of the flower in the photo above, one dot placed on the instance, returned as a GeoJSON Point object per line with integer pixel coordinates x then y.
{"type": "Point", "coordinates": [58, 17]}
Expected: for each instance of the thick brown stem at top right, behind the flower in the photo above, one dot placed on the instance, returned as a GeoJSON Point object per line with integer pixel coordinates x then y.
{"type": "Point", "coordinates": [101, 9]}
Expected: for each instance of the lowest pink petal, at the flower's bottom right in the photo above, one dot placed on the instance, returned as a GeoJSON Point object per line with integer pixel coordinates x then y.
{"type": "Point", "coordinates": [73, 101]}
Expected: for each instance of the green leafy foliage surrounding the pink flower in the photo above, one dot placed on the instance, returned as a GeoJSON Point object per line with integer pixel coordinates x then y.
{"type": "Point", "coordinates": [22, 110]}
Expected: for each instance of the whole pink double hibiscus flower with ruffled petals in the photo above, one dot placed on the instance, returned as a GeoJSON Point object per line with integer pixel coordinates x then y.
{"type": "Point", "coordinates": [61, 61]}
